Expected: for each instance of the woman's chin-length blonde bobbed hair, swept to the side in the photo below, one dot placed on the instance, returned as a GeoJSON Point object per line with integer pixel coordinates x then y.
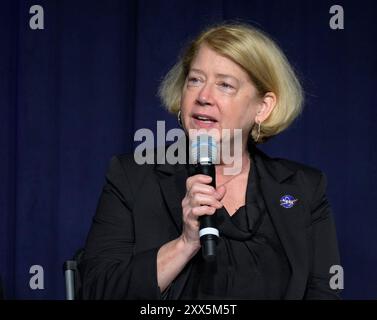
{"type": "Point", "coordinates": [264, 62]}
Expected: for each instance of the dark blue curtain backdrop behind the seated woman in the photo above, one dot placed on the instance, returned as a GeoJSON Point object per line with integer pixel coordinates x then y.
{"type": "Point", "coordinates": [73, 94]}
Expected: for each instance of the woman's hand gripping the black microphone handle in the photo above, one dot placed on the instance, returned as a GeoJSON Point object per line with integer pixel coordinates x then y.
{"type": "Point", "coordinates": [200, 199]}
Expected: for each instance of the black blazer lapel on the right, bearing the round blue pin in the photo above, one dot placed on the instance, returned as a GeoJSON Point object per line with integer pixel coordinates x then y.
{"type": "Point", "coordinates": [289, 222]}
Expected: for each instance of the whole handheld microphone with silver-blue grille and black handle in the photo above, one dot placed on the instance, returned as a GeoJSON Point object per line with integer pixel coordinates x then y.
{"type": "Point", "coordinates": [204, 155]}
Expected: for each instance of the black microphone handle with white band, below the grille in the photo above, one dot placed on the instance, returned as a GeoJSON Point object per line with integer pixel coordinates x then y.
{"type": "Point", "coordinates": [208, 228]}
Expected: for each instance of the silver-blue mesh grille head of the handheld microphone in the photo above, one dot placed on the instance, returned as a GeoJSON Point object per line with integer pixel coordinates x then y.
{"type": "Point", "coordinates": [204, 149]}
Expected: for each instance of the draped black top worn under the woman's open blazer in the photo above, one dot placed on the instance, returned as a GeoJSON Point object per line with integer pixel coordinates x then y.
{"type": "Point", "coordinates": [251, 263]}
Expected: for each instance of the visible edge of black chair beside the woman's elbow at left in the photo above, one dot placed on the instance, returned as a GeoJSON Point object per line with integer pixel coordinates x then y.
{"type": "Point", "coordinates": [72, 276]}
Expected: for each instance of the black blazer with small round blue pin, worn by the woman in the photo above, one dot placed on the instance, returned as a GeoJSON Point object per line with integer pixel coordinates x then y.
{"type": "Point", "coordinates": [140, 210]}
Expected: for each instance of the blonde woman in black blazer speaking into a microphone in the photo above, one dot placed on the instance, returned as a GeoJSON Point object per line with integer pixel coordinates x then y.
{"type": "Point", "coordinates": [277, 236]}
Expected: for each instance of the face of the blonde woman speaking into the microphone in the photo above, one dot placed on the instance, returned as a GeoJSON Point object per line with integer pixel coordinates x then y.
{"type": "Point", "coordinates": [218, 94]}
